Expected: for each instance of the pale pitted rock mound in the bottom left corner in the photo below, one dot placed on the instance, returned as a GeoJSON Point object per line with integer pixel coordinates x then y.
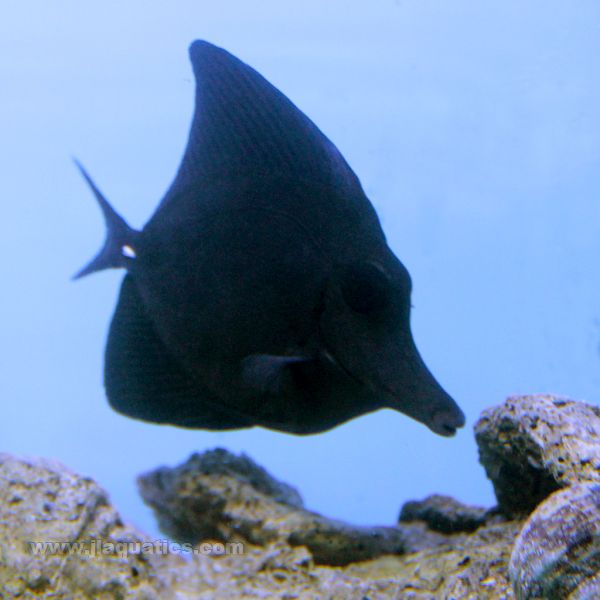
{"type": "Point", "coordinates": [42, 501]}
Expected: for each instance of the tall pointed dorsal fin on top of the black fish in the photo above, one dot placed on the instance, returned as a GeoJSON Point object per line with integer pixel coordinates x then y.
{"type": "Point", "coordinates": [244, 127]}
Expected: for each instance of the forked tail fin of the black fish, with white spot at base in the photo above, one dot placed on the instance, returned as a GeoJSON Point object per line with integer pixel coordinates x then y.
{"type": "Point", "coordinates": [118, 249]}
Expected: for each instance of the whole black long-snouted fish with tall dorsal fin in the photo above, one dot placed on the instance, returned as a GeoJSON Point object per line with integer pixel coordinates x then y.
{"type": "Point", "coordinates": [262, 290]}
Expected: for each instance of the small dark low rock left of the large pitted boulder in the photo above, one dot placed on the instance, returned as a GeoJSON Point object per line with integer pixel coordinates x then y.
{"type": "Point", "coordinates": [443, 514]}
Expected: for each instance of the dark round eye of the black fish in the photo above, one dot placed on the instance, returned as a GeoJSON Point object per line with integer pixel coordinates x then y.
{"type": "Point", "coordinates": [366, 288]}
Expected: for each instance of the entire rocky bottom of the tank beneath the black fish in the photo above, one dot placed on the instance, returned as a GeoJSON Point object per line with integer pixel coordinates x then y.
{"type": "Point", "coordinates": [251, 536]}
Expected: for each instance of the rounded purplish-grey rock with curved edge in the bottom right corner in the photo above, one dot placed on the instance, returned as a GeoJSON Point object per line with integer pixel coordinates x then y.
{"type": "Point", "coordinates": [557, 553]}
